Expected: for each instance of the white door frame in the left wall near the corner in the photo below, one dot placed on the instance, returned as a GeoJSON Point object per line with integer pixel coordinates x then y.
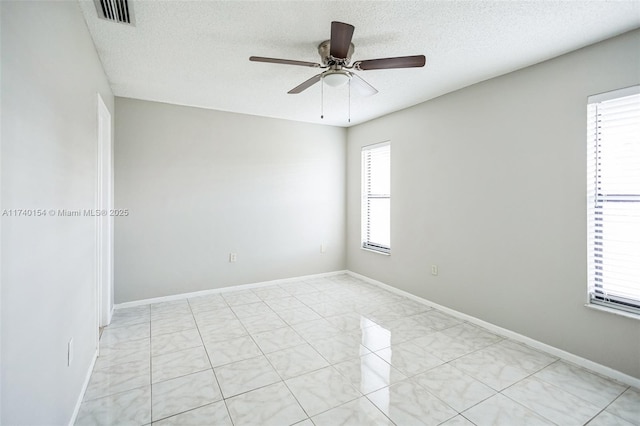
{"type": "Point", "coordinates": [104, 220]}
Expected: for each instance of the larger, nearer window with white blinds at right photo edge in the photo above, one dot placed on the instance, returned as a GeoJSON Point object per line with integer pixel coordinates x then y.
{"type": "Point", "coordinates": [613, 199]}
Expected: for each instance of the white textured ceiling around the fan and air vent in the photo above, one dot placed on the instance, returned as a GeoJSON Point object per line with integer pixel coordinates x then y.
{"type": "Point", "coordinates": [196, 53]}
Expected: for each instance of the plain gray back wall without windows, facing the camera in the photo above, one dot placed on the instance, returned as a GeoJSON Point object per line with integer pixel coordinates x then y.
{"type": "Point", "coordinates": [200, 184]}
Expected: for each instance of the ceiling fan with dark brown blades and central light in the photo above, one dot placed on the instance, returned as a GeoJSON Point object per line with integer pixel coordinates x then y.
{"type": "Point", "coordinates": [336, 56]}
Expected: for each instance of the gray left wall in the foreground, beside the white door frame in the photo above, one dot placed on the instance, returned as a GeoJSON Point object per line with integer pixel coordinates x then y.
{"type": "Point", "coordinates": [50, 78]}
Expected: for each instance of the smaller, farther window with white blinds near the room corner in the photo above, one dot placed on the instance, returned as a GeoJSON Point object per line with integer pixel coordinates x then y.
{"type": "Point", "coordinates": [376, 197]}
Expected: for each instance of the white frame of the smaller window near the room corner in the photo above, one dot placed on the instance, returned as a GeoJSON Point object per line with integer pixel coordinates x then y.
{"type": "Point", "coordinates": [366, 196]}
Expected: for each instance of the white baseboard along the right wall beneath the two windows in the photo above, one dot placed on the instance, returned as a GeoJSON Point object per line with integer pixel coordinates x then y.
{"type": "Point", "coordinates": [567, 356]}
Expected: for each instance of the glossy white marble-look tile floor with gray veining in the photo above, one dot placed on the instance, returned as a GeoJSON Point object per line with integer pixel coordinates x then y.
{"type": "Point", "coordinates": [332, 351]}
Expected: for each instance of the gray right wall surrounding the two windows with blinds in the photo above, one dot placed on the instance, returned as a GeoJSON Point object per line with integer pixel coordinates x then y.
{"type": "Point", "coordinates": [489, 184]}
